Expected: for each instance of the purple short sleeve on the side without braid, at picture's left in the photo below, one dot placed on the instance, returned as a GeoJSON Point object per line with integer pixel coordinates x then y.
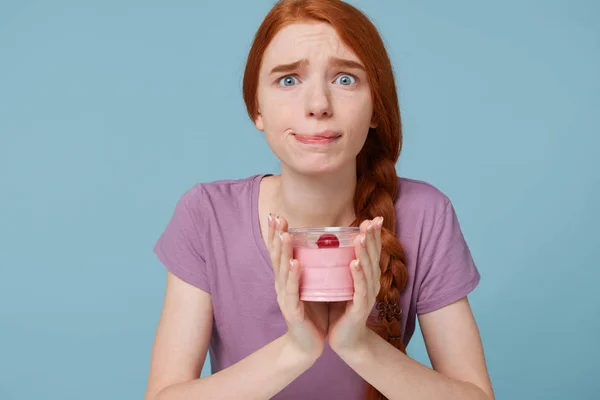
{"type": "Point", "coordinates": [181, 245]}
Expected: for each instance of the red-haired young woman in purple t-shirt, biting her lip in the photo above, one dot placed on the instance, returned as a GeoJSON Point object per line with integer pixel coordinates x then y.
{"type": "Point", "coordinates": [320, 85]}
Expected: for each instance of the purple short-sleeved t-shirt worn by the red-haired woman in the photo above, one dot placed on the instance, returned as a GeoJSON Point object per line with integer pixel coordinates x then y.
{"type": "Point", "coordinates": [213, 242]}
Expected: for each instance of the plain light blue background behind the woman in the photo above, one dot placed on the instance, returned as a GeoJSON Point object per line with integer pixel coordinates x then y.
{"type": "Point", "coordinates": [110, 110]}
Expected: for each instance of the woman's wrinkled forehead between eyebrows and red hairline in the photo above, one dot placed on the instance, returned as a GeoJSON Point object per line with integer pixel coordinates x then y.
{"type": "Point", "coordinates": [311, 40]}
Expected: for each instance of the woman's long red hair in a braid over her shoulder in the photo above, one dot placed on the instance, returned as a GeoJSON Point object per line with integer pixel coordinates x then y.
{"type": "Point", "coordinates": [377, 181]}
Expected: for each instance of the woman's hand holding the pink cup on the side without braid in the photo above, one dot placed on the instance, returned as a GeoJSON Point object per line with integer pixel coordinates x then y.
{"type": "Point", "coordinates": [307, 322]}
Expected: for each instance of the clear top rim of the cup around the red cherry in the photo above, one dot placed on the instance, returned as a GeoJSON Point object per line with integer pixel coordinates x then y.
{"type": "Point", "coordinates": [324, 237]}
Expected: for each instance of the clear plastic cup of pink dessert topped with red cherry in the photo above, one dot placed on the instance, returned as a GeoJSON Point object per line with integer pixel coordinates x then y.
{"type": "Point", "coordinates": [325, 255]}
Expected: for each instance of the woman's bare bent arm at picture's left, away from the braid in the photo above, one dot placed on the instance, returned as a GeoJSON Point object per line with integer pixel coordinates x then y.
{"type": "Point", "coordinates": [181, 345]}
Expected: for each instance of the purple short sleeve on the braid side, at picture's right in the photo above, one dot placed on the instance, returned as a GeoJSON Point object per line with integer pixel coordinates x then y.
{"type": "Point", "coordinates": [449, 270]}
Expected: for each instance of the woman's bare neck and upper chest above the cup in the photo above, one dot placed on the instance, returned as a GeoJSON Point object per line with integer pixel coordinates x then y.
{"type": "Point", "coordinates": [316, 200]}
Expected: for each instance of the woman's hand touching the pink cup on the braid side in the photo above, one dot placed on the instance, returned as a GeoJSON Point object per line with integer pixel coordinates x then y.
{"type": "Point", "coordinates": [348, 320]}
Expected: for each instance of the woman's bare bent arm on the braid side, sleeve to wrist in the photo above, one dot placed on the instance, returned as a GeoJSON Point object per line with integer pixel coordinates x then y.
{"type": "Point", "coordinates": [455, 350]}
